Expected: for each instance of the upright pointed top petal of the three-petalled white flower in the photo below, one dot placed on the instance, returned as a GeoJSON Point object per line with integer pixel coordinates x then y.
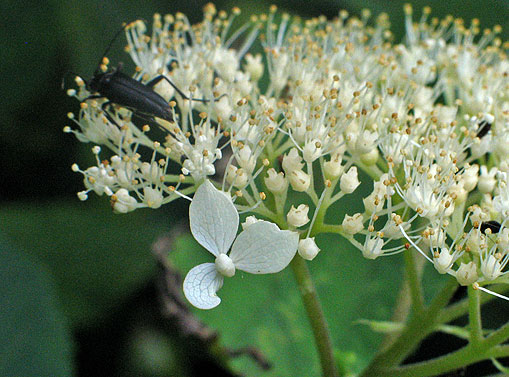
{"type": "Point", "coordinates": [213, 218]}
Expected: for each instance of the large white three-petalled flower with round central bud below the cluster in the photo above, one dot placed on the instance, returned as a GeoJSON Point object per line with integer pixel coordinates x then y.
{"type": "Point", "coordinates": [262, 248]}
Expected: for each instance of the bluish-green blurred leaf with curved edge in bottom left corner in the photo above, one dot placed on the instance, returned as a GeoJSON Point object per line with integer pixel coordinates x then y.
{"type": "Point", "coordinates": [34, 336]}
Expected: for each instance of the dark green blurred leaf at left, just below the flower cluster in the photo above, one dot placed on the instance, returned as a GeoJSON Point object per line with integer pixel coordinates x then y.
{"type": "Point", "coordinates": [97, 258]}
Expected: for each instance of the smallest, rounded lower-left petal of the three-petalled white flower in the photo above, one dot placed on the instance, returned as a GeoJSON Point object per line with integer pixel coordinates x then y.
{"type": "Point", "coordinates": [201, 285]}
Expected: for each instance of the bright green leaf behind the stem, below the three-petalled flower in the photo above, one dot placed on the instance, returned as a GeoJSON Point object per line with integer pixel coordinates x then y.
{"type": "Point", "coordinates": [265, 311]}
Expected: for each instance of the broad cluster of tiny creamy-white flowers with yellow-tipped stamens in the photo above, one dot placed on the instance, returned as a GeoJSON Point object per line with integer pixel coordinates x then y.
{"type": "Point", "coordinates": [294, 131]}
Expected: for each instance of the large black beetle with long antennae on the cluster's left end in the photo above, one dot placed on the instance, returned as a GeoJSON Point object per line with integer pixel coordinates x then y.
{"type": "Point", "coordinates": [121, 89]}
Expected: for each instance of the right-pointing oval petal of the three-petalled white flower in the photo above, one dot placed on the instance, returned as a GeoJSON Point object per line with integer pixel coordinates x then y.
{"type": "Point", "coordinates": [263, 248]}
